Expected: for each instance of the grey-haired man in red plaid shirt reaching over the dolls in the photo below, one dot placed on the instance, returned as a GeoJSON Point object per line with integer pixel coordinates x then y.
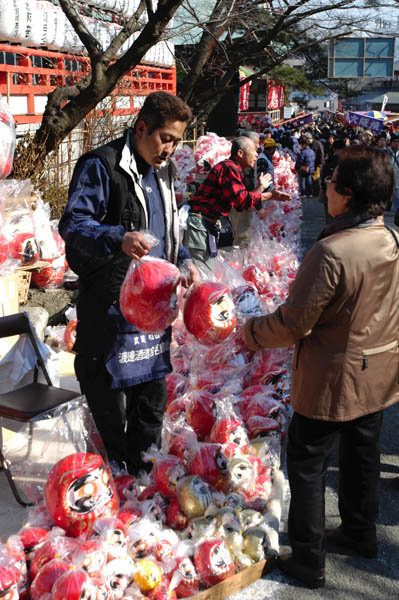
{"type": "Point", "coordinates": [222, 190]}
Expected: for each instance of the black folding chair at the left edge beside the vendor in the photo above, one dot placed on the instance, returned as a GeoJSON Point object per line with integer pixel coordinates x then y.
{"type": "Point", "coordinates": [30, 402]}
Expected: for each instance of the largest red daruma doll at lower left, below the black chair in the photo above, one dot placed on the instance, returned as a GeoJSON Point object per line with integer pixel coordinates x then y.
{"type": "Point", "coordinates": [79, 490]}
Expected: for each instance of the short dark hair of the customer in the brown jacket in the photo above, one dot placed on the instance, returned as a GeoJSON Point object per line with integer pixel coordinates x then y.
{"type": "Point", "coordinates": [365, 173]}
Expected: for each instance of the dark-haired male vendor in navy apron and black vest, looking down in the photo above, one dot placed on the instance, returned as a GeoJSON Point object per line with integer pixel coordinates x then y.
{"type": "Point", "coordinates": [116, 192]}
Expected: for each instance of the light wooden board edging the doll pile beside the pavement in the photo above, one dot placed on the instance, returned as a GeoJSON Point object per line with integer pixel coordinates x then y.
{"type": "Point", "coordinates": [237, 582]}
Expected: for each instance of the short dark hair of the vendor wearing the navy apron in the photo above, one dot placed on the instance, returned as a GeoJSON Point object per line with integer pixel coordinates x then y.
{"type": "Point", "coordinates": [161, 107]}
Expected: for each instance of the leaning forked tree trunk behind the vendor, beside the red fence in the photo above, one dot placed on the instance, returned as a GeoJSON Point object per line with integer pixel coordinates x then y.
{"type": "Point", "coordinates": [67, 106]}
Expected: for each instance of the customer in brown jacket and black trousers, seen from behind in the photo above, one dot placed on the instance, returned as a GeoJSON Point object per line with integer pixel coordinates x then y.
{"type": "Point", "coordinates": [342, 314]}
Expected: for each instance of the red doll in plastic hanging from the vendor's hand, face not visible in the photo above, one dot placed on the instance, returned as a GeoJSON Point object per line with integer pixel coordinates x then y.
{"type": "Point", "coordinates": [148, 294]}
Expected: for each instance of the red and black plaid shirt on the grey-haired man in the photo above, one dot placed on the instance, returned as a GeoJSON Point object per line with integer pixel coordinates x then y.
{"type": "Point", "coordinates": [222, 190]}
